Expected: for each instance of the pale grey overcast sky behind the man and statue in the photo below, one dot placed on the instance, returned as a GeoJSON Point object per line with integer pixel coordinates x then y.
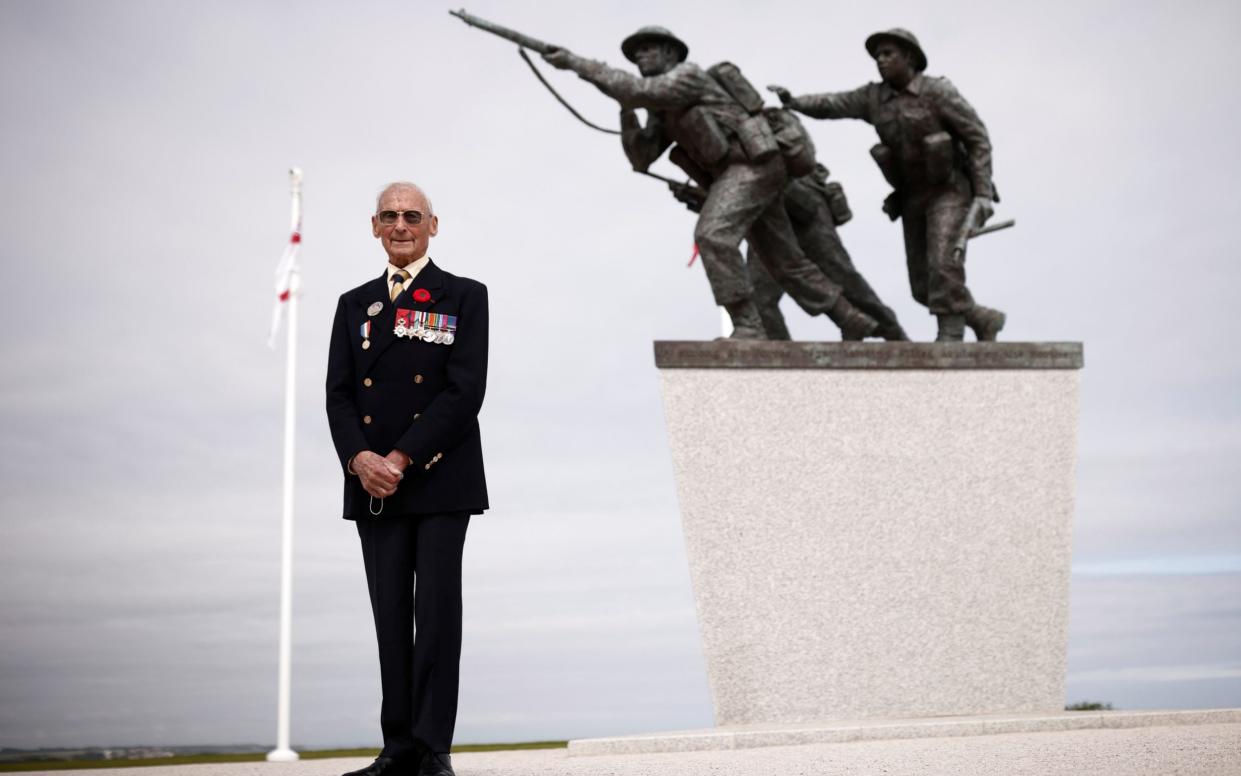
{"type": "Point", "coordinates": [145, 151]}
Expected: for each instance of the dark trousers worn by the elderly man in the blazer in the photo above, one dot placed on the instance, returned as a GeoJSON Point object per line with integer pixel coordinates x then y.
{"type": "Point", "coordinates": [414, 572]}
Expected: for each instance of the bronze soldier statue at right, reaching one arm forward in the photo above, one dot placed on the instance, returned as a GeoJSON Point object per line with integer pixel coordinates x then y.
{"type": "Point", "coordinates": [936, 155]}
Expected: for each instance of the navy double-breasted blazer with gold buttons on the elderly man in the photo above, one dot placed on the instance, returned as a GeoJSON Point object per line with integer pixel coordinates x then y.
{"type": "Point", "coordinates": [410, 395]}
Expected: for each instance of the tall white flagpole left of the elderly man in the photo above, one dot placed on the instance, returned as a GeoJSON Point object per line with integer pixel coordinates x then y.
{"type": "Point", "coordinates": [284, 752]}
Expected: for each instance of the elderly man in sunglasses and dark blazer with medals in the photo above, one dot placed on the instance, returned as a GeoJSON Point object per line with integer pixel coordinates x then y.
{"type": "Point", "coordinates": [406, 374]}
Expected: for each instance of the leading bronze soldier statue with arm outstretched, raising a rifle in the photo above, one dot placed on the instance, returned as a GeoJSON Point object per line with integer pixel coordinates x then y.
{"type": "Point", "coordinates": [688, 106]}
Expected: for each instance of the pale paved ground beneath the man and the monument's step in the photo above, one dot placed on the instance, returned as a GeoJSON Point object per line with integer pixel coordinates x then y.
{"type": "Point", "coordinates": [1188, 751]}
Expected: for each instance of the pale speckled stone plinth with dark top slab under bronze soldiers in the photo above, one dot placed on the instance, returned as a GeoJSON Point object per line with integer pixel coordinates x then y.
{"type": "Point", "coordinates": [877, 530]}
